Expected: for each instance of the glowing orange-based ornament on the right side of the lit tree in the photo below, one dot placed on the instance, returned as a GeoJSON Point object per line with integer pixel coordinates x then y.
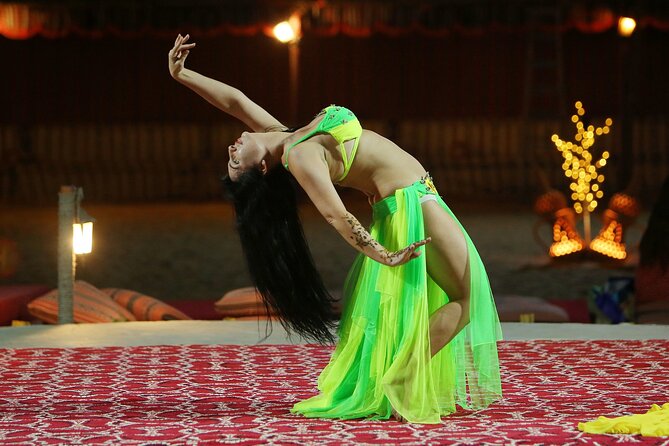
{"type": "Point", "coordinates": [622, 211]}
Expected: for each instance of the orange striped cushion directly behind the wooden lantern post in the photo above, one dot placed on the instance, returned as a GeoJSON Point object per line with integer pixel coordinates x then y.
{"type": "Point", "coordinates": [89, 304]}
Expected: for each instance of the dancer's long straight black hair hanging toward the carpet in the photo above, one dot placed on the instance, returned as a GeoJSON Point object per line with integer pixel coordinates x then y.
{"type": "Point", "coordinates": [277, 254]}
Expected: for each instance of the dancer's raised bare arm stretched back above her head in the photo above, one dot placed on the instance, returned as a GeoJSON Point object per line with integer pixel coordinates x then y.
{"type": "Point", "coordinates": [220, 95]}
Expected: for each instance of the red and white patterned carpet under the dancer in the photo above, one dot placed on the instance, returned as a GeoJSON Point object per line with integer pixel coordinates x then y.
{"type": "Point", "coordinates": [242, 394]}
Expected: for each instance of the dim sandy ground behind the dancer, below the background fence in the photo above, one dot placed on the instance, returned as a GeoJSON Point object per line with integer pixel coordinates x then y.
{"type": "Point", "coordinates": [191, 251]}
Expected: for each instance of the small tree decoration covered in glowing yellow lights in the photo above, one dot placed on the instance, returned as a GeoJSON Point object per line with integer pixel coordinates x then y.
{"type": "Point", "coordinates": [578, 166]}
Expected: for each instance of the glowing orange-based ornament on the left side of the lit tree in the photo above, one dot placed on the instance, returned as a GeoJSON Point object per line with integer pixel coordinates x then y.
{"type": "Point", "coordinates": [552, 206]}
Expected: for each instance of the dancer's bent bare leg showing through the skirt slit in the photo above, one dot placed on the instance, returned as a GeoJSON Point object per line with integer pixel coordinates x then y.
{"type": "Point", "coordinates": [447, 260]}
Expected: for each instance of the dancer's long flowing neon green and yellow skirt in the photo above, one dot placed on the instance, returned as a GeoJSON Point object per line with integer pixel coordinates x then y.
{"type": "Point", "coordinates": [382, 361]}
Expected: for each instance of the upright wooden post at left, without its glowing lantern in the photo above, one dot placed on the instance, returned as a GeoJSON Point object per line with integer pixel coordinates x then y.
{"type": "Point", "coordinates": [66, 257]}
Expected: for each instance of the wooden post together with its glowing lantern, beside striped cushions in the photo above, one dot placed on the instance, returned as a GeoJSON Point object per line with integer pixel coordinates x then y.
{"type": "Point", "coordinates": [75, 236]}
